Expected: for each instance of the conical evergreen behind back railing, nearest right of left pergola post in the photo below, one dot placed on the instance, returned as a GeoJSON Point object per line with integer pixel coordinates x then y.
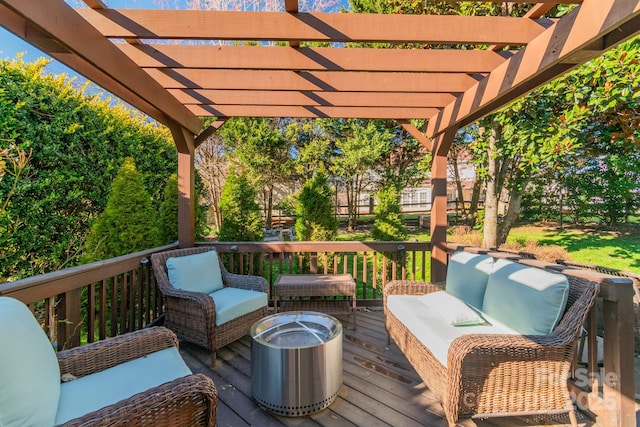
{"type": "Point", "coordinates": [241, 219]}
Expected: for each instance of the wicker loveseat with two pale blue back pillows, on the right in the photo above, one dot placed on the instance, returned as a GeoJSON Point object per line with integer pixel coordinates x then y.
{"type": "Point", "coordinates": [501, 362]}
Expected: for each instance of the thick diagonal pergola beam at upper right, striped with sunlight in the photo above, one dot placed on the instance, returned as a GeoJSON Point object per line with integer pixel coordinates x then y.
{"type": "Point", "coordinates": [548, 56]}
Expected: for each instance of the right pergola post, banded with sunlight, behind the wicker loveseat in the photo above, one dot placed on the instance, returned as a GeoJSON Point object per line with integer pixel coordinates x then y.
{"type": "Point", "coordinates": [439, 219]}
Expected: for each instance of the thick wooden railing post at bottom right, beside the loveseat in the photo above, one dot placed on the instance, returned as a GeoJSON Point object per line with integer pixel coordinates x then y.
{"type": "Point", "coordinates": [619, 370]}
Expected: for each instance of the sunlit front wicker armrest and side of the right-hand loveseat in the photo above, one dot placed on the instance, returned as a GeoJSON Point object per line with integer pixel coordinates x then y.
{"type": "Point", "coordinates": [482, 368]}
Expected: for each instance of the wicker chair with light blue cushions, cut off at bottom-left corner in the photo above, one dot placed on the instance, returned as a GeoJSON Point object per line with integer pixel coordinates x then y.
{"type": "Point", "coordinates": [138, 378]}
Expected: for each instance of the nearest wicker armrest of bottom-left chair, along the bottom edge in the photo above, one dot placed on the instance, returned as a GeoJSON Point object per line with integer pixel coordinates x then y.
{"type": "Point", "coordinates": [190, 400]}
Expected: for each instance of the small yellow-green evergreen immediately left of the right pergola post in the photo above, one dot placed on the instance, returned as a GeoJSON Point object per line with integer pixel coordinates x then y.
{"type": "Point", "coordinates": [388, 224]}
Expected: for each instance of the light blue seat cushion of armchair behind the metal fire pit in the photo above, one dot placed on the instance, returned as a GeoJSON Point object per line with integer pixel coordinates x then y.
{"type": "Point", "coordinates": [232, 303]}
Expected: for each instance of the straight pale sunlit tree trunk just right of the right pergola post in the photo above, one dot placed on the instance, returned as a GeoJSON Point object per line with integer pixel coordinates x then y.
{"type": "Point", "coordinates": [493, 193]}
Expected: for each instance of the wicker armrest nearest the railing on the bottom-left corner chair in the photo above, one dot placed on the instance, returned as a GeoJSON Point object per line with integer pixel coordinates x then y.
{"type": "Point", "coordinates": [101, 355]}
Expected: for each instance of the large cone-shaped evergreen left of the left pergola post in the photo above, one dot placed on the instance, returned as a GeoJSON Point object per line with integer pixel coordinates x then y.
{"type": "Point", "coordinates": [128, 223]}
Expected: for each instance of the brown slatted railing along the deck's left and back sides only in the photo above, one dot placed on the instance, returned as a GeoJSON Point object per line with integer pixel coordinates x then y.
{"type": "Point", "coordinates": [106, 298]}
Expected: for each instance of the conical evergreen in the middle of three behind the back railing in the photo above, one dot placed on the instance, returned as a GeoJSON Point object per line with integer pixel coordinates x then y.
{"type": "Point", "coordinates": [315, 219]}
